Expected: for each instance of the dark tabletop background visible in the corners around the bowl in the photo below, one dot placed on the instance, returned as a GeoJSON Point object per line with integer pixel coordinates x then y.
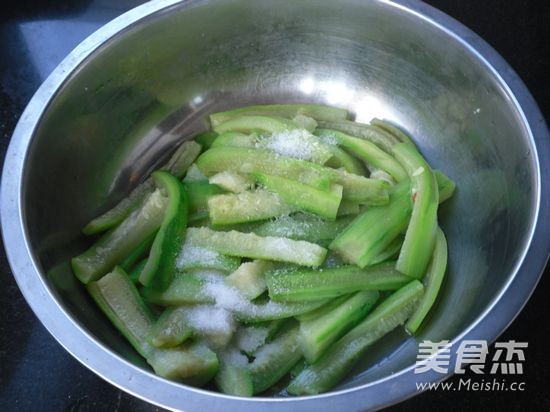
{"type": "Point", "coordinates": [36, 35]}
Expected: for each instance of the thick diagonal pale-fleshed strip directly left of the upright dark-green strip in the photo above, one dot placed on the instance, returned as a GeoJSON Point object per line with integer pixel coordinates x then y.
{"type": "Point", "coordinates": [112, 247]}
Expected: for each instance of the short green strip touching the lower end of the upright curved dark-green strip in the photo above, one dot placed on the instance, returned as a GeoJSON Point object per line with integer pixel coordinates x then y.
{"type": "Point", "coordinates": [185, 288]}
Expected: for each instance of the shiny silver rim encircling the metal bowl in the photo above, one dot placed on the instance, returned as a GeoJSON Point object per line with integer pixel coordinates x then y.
{"type": "Point", "coordinates": [97, 357]}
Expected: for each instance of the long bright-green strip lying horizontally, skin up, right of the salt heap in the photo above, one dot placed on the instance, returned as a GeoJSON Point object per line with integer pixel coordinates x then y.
{"type": "Point", "coordinates": [305, 285]}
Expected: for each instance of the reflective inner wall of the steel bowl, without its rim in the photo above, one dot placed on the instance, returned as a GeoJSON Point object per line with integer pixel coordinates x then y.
{"type": "Point", "coordinates": [150, 87]}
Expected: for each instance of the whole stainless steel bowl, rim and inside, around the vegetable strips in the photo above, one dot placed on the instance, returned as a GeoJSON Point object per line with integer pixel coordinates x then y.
{"type": "Point", "coordinates": [120, 101]}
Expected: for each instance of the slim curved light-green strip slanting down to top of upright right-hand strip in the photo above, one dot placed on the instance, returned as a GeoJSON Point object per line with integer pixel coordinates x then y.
{"type": "Point", "coordinates": [368, 152]}
